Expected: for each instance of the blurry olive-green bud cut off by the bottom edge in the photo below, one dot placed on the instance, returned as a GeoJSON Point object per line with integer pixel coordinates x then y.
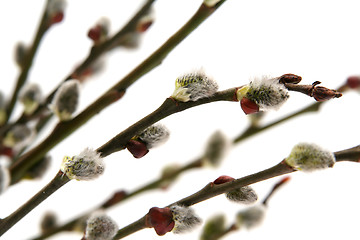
{"type": "Point", "coordinates": [214, 228]}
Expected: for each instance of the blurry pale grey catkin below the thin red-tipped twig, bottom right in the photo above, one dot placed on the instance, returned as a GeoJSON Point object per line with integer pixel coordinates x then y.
{"type": "Point", "coordinates": [250, 217]}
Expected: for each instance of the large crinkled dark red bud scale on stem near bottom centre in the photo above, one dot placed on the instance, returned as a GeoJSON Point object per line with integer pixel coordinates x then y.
{"type": "Point", "coordinates": [161, 219]}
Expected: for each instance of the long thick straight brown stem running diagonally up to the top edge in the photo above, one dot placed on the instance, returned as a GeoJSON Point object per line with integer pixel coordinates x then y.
{"type": "Point", "coordinates": [64, 129]}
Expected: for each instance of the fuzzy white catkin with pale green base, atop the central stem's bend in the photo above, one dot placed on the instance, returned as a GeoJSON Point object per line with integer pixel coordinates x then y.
{"type": "Point", "coordinates": [193, 86]}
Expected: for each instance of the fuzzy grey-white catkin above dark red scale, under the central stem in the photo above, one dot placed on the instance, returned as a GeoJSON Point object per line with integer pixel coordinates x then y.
{"type": "Point", "coordinates": [154, 135]}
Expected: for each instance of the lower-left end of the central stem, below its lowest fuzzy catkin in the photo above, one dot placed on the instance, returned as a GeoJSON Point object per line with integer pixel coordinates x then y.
{"type": "Point", "coordinates": [58, 181]}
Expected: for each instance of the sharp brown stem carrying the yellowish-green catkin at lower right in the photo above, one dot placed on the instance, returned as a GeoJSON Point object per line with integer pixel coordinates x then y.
{"type": "Point", "coordinates": [212, 190]}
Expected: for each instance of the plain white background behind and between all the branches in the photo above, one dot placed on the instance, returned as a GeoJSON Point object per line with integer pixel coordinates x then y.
{"type": "Point", "coordinates": [318, 40]}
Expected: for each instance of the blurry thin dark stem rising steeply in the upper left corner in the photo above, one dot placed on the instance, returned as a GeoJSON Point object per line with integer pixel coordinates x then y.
{"type": "Point", "coordinates": [29, 57]}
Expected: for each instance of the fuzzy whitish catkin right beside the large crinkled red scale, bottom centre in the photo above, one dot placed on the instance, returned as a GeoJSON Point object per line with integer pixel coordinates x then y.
{"type": "Point", "coordinates": [185, 219]}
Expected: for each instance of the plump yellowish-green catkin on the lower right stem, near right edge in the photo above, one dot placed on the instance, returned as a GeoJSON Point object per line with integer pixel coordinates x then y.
{"type": "Point", "coordinates": [308, 157]}
